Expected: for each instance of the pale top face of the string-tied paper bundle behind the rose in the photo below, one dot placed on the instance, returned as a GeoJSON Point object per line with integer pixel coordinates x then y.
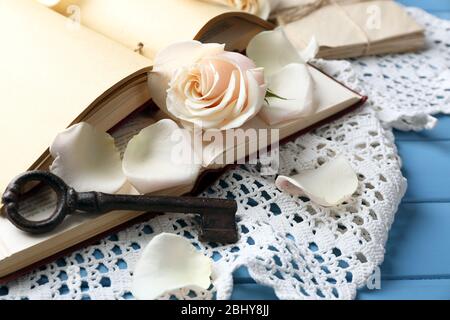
{"type": "Point", "coordinates": [357, 22]}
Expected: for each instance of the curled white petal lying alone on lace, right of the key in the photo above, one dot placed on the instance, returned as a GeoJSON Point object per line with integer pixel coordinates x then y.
{"type": "Point", "coordinates": [329, 185]}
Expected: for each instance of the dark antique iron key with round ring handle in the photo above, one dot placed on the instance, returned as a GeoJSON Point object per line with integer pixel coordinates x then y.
{"type": "Point", "coordinates": [218, 222]}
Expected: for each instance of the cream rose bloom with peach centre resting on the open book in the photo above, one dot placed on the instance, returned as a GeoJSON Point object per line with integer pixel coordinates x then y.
{"type": "Point", "coordinates": [204, 85]}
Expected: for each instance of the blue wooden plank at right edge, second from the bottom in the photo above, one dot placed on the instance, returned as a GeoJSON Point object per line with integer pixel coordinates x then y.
{"type": "Point", "coordinates": [419, 243]}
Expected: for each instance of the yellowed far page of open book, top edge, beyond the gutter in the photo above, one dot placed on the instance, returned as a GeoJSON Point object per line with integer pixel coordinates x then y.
{"type": "Point", "coordinates": [154, 23]}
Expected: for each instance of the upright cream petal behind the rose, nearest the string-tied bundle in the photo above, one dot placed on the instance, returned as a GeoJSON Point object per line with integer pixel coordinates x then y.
{"type": "Point", "coordinates": [272, 51]}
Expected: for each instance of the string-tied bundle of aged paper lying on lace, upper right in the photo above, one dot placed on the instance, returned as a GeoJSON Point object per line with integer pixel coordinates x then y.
{"type": "Point", "coordinates": [360, 27]}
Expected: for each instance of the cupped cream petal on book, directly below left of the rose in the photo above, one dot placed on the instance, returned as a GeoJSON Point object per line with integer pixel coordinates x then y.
{"type": "Point", "coordinates": [155, 160]}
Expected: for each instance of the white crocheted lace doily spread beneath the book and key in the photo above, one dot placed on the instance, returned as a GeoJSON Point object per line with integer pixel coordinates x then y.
{"type": "Point", "coordinates": [300, 249]}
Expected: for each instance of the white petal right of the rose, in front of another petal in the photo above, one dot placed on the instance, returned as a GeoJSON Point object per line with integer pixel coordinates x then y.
{"type": "Point", "coordinates": [295, 87]}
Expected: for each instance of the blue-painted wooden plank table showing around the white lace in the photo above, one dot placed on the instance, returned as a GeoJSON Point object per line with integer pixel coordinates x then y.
{"type": "Point", "coordinates": [417, 263]}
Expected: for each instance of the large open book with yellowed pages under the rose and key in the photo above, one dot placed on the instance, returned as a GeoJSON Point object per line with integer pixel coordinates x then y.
{"type": "Point", "coordinates": [55, 72]}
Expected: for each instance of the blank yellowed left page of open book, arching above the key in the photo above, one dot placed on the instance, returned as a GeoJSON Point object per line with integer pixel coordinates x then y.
{"type": "Point", "coordinates": [50, 72]}
